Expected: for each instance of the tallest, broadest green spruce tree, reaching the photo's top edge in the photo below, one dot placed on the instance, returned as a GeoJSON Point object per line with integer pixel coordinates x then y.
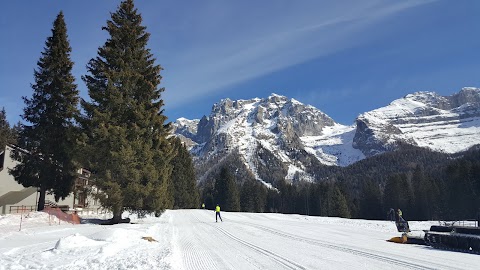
{"type": "Point", "coordinates": [124, 126]}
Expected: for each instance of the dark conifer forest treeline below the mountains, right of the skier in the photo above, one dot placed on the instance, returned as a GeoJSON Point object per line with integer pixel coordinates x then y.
{"type": "Point", "coordinates": [445, 190]}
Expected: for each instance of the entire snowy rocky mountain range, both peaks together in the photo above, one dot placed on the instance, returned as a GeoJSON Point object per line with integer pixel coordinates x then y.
{"type": "Point", "coordinates": [281, 138]}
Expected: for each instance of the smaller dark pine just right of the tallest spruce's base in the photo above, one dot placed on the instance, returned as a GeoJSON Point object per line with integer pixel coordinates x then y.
{"type": "Point", "coordinates": [183, 178]}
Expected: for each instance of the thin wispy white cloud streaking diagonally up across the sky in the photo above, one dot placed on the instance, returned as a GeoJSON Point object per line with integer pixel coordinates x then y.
{"type": "Point", "coordinates": [225, 44]}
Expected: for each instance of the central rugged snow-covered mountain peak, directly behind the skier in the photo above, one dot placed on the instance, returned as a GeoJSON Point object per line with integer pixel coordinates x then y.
{"type": "Point", "coordinates": [273, 132]}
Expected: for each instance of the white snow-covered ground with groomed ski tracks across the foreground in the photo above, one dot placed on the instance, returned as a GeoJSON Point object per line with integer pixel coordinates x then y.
{"type": "Point", "coordinates": [191, 239]}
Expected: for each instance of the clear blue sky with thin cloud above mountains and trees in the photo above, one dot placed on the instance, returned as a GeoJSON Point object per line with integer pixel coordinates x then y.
{"type": "Point", "coordinates": [344, 57]}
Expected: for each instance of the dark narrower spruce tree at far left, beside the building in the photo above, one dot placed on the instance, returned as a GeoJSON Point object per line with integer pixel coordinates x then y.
{"type": "Point", "coordinates": [48, 137]}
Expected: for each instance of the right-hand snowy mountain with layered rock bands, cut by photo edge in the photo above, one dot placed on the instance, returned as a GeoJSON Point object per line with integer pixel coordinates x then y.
{"type": "Point", "coordinates": [446, 124]}
